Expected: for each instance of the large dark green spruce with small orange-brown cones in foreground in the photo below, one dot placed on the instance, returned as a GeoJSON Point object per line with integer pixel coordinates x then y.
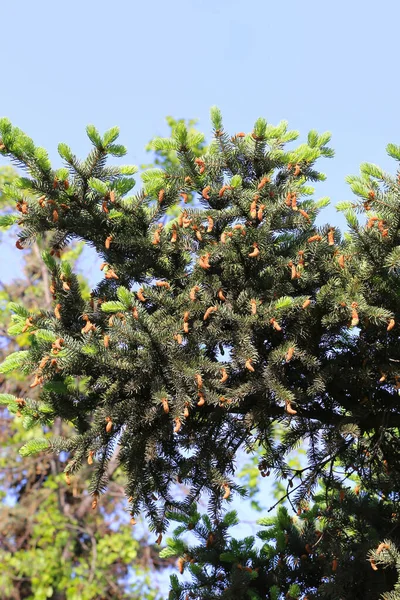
{"type": "Point", "coordinates": [211, 327]}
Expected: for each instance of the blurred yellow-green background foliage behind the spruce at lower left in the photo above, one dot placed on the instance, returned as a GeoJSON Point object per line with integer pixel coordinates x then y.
{"type": "Point", "coordinates": [52, 545]}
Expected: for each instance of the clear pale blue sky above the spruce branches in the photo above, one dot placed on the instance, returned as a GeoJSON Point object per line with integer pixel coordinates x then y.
{"type": "Point", "coordinates": [319, 64]}
